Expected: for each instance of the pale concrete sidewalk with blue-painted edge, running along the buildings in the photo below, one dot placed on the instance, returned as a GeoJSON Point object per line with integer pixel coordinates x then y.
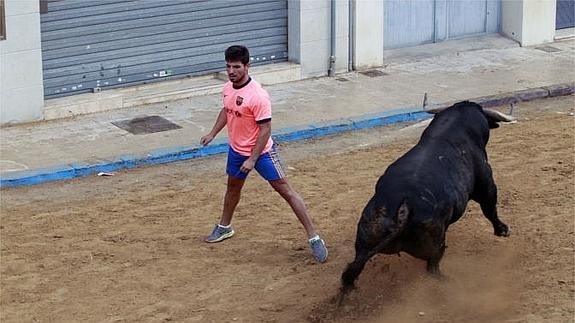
{"type": "Point", "coordinates": [490, 69]}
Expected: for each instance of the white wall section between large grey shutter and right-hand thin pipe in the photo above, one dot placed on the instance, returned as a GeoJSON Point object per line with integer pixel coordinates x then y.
{"type": "Point", "coordinates": [309, 35]}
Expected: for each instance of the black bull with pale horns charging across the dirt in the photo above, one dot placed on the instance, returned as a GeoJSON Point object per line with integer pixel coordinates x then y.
{"type": "Point", "coordinates": [428, 188]}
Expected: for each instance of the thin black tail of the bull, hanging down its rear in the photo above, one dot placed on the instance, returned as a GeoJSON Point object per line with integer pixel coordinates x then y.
{"type": "Point", "coordinates": [362, 256]}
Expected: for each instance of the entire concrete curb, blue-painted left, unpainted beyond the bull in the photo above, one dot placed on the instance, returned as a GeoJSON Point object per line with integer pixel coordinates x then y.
{"type": "Point", "coordinates": [172, 154]}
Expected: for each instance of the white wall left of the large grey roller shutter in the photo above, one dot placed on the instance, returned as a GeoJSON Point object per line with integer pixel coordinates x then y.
{"type": "Point", "coordinates": [21, 90]}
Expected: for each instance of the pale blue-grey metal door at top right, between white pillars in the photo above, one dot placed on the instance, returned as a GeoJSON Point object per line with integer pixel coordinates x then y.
{"type": "Point", "coordinates": [415, 22]}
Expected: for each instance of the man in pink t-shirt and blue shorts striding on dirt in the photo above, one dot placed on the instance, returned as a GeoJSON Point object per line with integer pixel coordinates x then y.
{"type": "Point", "coordinates": [247, 115]}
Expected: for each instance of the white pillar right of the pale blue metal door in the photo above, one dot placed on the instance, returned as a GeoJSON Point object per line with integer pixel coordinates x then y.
{"type": "Point", "coordinates": [529, 22]}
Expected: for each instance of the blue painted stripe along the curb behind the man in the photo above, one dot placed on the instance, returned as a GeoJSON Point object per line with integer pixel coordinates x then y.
{"type": "Point", "coordinates": [172, 154]}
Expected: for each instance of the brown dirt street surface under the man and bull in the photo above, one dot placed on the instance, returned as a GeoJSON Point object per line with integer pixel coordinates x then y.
{"type": "Point", "coordinates": [128, 248]}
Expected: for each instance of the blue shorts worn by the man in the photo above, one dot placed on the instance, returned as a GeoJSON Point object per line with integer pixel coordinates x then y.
{"type": "Point", "coordinates": [268, 165]}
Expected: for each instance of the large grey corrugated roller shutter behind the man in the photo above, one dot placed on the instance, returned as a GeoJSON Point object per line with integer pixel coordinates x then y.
{"type": "Point", "coordinates": [92, 44]}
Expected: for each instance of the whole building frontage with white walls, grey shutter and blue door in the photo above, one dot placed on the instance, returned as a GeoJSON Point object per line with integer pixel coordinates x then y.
{"type": "Point", "coordinates": [73, 48]}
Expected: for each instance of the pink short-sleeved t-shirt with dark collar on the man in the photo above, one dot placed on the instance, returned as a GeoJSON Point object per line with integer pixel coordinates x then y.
{"type": "Point", "coordinates": [244, 108]}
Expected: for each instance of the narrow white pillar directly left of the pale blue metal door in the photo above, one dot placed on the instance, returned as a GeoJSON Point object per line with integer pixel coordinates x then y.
{"type": "Point", "coordinates": [367, 33]}
